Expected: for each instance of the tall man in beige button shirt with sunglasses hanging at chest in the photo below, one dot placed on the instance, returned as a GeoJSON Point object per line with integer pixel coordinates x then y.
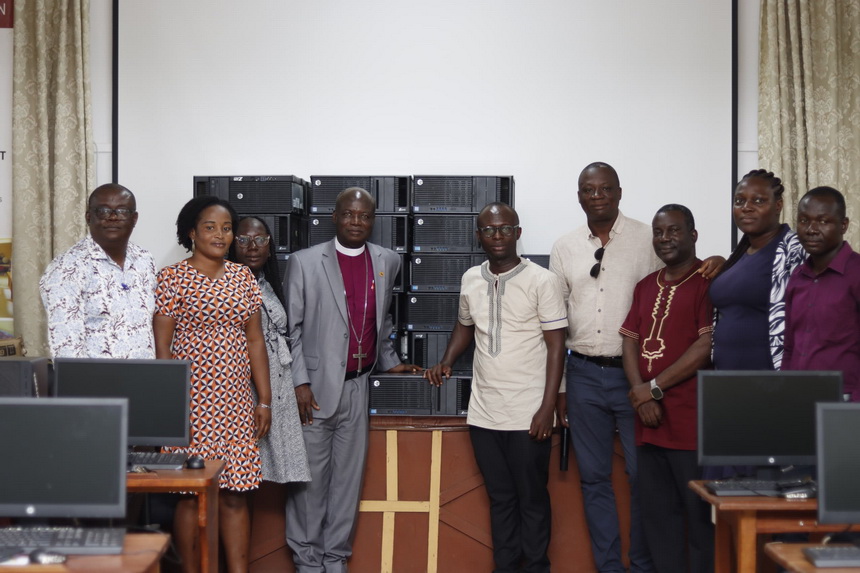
{"type": "Point", "coordinates": [599, 265]}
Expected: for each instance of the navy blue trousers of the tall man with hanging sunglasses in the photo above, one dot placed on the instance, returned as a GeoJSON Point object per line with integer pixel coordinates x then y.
{"type": "Point", "coordinates": [597, 406]}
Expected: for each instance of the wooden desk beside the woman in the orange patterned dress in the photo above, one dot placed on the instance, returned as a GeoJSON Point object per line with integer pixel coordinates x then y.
{"type": "Point", "coordinates": [204, 483]}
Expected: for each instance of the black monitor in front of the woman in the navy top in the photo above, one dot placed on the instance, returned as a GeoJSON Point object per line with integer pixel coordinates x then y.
{"type": "Point", "coordinates": [761, 418]}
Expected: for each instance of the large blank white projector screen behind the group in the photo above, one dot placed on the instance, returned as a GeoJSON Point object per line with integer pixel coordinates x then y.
{"type": "Point", "coordinates": [535, 89]}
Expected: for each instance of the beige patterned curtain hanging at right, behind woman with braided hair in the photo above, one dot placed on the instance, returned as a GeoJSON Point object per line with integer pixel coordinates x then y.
{"type": "Point", "coordinates": [809, 99]}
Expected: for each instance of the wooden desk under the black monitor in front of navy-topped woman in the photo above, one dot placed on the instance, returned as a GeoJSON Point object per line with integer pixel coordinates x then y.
{"type": "Point", "coordinates": [740, 519]}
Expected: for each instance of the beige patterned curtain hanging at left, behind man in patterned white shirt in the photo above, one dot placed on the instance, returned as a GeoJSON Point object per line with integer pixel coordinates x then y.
{"type": "Point", "coordinates": [52, 148]}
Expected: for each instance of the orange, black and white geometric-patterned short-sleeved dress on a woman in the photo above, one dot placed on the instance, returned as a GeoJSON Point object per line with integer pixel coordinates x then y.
{"type": "Point", "coordinates": [210, 320]}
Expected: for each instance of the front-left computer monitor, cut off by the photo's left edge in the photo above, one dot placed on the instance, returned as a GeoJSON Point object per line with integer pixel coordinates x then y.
{"type": "Point", "coordinates": [62, 457]}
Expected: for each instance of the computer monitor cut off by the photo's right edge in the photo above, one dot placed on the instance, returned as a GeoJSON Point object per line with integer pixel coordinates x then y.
{"type": "Point", "coordinates": [838, 437]}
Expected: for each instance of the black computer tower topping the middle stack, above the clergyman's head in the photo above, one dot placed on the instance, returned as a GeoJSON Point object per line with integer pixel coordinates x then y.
{"type": "Point", "coordinates": [391, 193]}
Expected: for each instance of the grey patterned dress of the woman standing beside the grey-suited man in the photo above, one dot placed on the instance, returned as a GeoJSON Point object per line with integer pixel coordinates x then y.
{"type": "Point", "coordinates": [283, 449]}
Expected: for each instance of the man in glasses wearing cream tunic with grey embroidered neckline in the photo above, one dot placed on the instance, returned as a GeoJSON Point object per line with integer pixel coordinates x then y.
{"type": "Point", "coordinates": [514, 312]}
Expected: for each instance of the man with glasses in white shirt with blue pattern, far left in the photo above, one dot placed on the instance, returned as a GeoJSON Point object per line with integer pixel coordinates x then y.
{"type": "Point", "coordinates": [100, 294]}
